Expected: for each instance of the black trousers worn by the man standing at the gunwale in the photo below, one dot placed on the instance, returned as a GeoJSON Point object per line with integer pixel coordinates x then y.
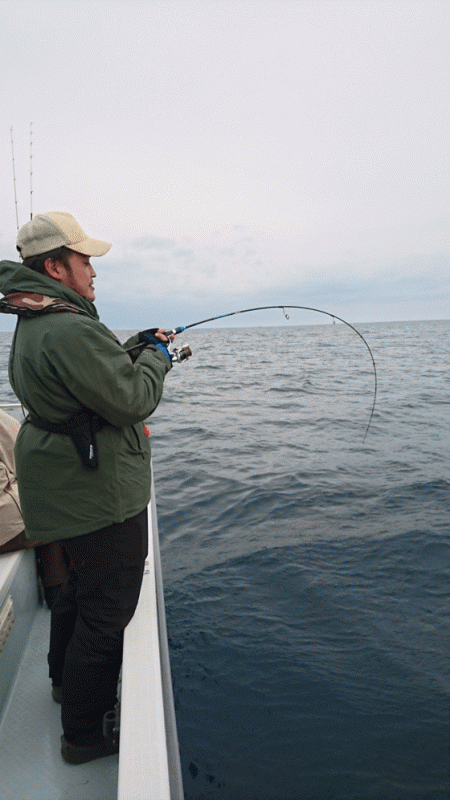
{"type": "Point", "coordinates": [88, 619]}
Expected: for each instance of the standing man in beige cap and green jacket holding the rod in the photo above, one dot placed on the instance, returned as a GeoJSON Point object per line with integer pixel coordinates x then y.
{"type": "Point", "coordinates": [83, 460]}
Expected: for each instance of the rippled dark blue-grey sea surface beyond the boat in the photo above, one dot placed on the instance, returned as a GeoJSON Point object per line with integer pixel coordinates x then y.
{"type": "Point", "coordinates": [307, 569]}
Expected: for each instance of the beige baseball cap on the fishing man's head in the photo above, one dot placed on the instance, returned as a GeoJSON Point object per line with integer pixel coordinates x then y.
{"type": "Point", "coordinates": [57, 229]}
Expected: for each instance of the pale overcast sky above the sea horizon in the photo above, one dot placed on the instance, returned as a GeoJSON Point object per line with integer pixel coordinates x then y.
{"type": "Point", "coordinates": [237, 153]}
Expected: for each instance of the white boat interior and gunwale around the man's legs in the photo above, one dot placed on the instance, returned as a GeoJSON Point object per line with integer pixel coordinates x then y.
{"type": "Point", "coordinates": [148, 764]}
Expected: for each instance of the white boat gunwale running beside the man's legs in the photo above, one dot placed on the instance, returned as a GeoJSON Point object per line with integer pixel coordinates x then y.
{"type": "Point", "coordinates": [149, 762]}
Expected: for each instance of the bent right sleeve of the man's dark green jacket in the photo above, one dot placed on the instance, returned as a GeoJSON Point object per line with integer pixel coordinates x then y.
{"type": "Point", "coordinates": [94, 367]}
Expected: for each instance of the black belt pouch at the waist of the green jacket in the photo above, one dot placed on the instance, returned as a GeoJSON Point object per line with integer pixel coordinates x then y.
{"type": "Point", "coordinates": [81, 428]}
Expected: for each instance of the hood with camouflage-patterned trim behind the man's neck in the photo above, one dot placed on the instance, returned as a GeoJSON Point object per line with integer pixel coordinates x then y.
{"type": "Point", "coordinates": [15, 277]}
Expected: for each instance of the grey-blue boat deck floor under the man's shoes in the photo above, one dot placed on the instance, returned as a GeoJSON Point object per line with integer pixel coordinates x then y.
{"type": "Point", "coordinates": [30, 732]}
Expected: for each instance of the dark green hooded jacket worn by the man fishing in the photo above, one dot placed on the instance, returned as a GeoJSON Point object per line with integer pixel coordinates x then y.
{"type": "Point", "coordinates": [60, 362]}
